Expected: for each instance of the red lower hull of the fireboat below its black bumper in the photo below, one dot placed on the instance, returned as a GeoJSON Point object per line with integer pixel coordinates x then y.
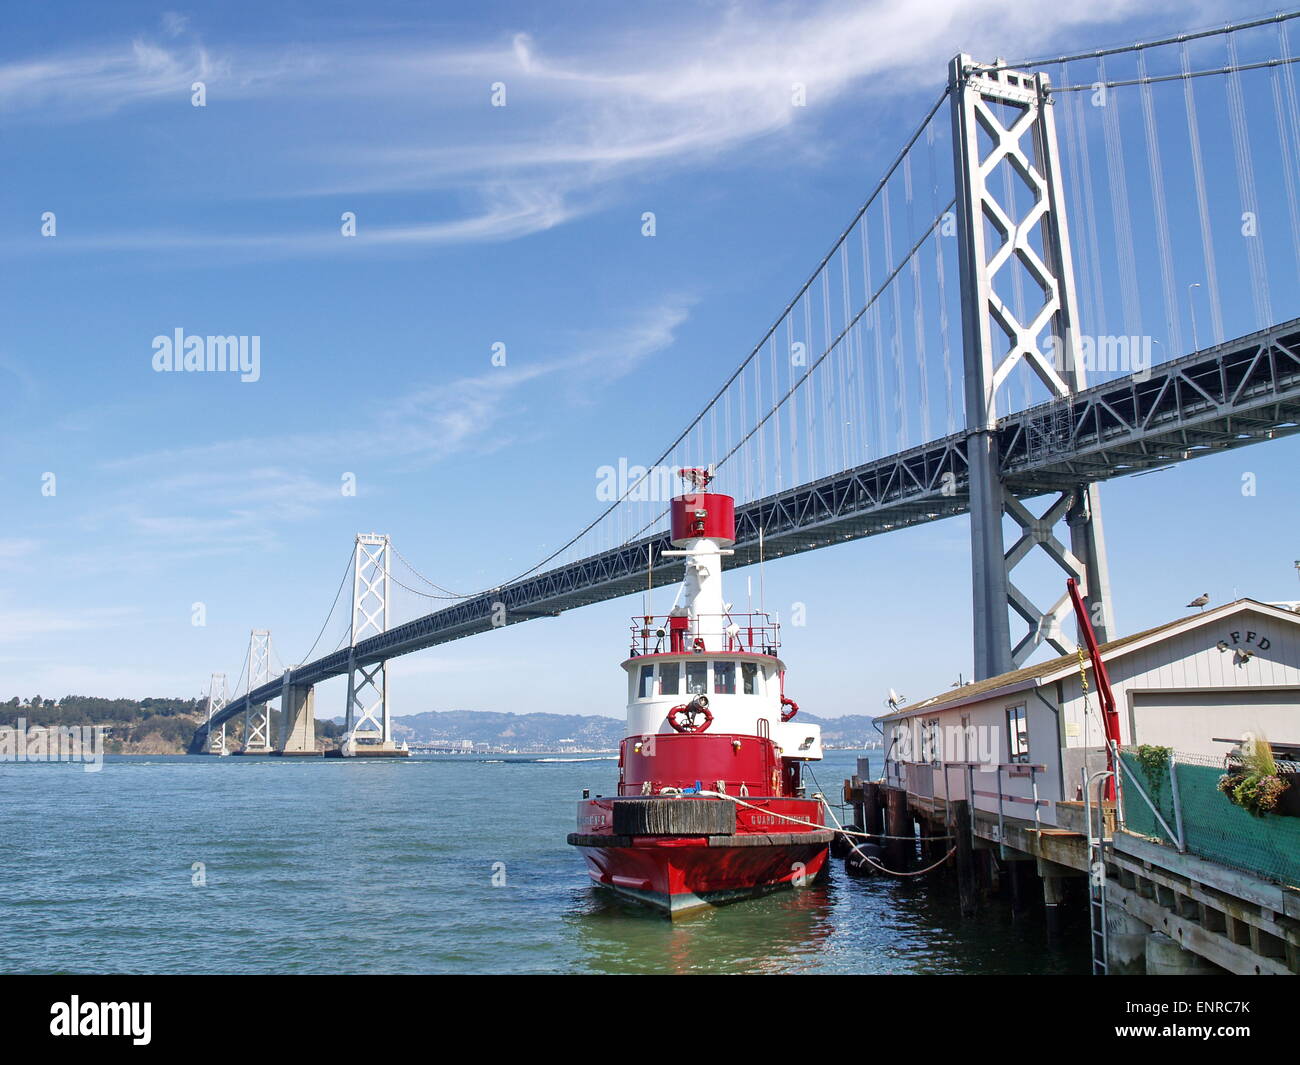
{"type": "Point", "coordinates": [684, 876]}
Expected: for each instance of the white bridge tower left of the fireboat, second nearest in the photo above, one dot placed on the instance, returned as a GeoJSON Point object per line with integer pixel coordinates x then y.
{"type": "Point", "coordinates": [369, 731]}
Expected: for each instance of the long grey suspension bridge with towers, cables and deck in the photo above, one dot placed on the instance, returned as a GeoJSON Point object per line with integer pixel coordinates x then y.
{"type": "Point", "coordinates": [1065, 276]}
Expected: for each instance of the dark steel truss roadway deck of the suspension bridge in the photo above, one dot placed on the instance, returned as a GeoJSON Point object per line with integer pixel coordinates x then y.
{"type": "Point", "coordinates": [1238, 393]}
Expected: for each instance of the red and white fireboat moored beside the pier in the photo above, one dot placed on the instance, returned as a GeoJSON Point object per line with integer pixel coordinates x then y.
{"type": "Point", "coordinates": [710, 807]}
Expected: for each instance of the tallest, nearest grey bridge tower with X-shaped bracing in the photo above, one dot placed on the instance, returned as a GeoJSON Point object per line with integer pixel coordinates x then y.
{"type": "Point", "coordinates": [996, 237]}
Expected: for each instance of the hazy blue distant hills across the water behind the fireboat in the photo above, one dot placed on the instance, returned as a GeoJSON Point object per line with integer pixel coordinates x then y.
{"type": "Point", "coordinates": [549, 731]}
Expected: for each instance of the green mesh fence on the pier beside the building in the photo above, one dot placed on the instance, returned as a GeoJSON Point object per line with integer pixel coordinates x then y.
{"type": "Point", "coordinates": [1214, 828]}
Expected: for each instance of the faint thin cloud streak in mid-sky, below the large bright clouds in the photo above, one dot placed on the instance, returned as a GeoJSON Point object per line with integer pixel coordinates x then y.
{"type": "Point", "coordinates": [229, 499]}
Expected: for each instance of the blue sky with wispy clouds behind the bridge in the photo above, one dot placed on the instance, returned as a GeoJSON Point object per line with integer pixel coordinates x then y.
{"type": "Point", "coordinates": [476, 226]}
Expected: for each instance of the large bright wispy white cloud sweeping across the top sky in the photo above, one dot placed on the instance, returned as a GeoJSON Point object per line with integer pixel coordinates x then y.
{"type": "Point", "coordinates": [583, 116]}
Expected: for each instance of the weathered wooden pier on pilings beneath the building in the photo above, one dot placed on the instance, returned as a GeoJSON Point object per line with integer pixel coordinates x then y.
{"type": "Point", "coordinates": [1165, 911]}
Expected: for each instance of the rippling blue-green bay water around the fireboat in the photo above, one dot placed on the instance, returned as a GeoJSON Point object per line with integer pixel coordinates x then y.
{"type": "Point", "coordinates": [388, 867]}
